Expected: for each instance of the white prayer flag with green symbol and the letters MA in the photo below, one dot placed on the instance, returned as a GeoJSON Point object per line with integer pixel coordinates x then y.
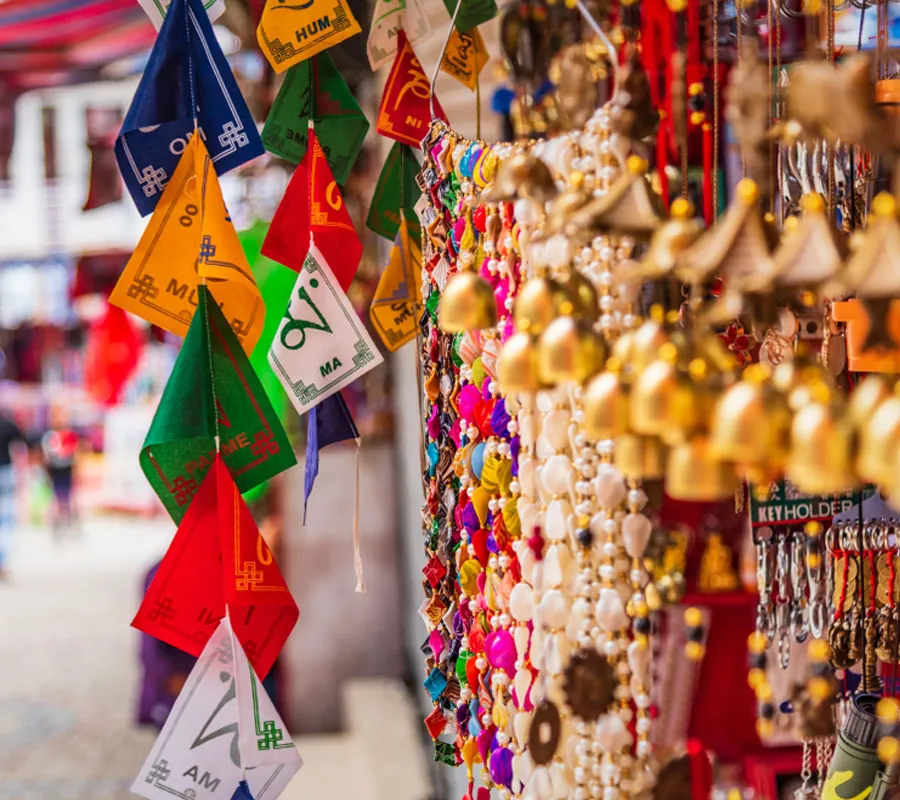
{"type": "Point", "coordinates": [321, 345]}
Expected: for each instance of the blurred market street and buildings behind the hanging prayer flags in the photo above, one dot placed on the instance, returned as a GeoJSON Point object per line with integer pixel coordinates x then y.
{"type": "Point", "coordinates": [80, 380]}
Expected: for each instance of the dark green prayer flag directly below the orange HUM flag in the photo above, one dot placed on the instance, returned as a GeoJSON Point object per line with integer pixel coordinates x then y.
{"type": "Point", "coordinates": [340, 123]}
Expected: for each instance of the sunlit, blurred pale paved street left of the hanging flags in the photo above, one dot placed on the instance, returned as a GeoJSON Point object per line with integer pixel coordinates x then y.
{"type": "Point", "coordinates": [68, 661]}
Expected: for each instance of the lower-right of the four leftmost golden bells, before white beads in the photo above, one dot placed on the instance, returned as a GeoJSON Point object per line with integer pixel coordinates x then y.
{"type": "Point", "coordinates": [569, 350]}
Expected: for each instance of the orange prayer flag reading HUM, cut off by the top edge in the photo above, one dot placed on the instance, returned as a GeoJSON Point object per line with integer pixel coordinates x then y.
{"type": "Point", "coordinates": [289, 33]}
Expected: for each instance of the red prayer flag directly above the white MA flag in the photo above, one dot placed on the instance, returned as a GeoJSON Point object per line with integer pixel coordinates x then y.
{"type": "Point", "coordinates": [313, 211]}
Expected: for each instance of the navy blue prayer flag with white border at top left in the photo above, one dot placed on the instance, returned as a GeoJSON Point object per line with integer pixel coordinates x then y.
{"type": "Point", "coordinates": [187, 86]}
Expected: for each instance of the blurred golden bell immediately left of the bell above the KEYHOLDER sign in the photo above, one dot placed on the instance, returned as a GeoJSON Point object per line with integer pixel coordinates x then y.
{"type": "Point", "coordinates": [751, 424]}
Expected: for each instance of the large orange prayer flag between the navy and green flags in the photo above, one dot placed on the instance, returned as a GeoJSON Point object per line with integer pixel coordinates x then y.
{"type": "Point", "coordinates": [191, 238]}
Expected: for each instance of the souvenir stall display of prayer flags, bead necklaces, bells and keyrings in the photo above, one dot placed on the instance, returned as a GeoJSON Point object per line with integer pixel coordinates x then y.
{"type": "Point", "coordinates": [627, 366]}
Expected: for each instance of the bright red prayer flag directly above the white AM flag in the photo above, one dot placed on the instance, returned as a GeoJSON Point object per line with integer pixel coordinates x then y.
{"type": "Point", "coordinates": [218, 561]}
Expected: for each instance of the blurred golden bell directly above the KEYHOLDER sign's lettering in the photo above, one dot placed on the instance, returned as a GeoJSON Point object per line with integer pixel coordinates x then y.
{"type": "Point", "coordinates": [820, 460]}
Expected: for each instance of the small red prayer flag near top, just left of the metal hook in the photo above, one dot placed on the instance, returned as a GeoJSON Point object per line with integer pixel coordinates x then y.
{"type": "Point", "coordinates": [405, 111]}
